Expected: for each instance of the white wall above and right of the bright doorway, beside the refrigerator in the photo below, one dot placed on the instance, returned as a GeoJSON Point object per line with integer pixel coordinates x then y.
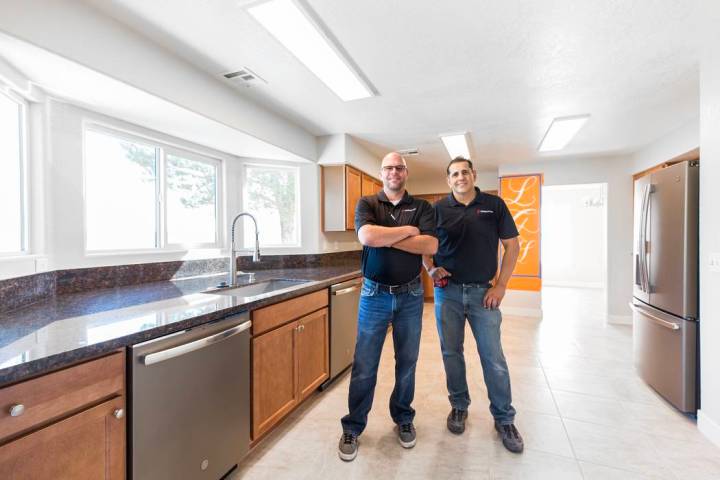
{"type": "Point", "coordinates": [615, 172]}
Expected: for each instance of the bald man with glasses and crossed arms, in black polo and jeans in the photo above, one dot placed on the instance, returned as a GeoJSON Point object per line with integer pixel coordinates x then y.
{"type": "Point", "coordinates": [395, 230]}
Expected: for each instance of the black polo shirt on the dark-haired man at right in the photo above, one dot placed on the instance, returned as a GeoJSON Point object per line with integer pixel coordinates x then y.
{"type": "Point", "coordinates": [468, 236]}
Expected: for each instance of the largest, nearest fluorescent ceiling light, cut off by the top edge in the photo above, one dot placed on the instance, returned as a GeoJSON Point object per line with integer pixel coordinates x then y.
{"type": "Point", "coordinates": [293, 27]}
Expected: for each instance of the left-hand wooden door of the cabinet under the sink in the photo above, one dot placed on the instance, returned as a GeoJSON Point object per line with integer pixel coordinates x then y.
{"type": "Point", "coordinates": [274, 377]}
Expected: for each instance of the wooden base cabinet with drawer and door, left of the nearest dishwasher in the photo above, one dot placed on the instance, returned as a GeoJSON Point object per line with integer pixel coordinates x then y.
{"type": "Point", "coordinates": [71, 424]}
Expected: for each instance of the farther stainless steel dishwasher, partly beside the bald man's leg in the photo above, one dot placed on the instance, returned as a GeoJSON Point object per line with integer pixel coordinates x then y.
{"type": "Point", "coordinates": [344, 301]}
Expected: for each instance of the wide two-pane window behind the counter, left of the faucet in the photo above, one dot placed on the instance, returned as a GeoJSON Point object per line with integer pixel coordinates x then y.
{"type": "Point", "coordinates": [144, 195]}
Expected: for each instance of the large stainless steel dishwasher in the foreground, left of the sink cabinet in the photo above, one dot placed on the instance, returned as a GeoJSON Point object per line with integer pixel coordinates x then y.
{"type": "Point", "coordinates": [190, 415]}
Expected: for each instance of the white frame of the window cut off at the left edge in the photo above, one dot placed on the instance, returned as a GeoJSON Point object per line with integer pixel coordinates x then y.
{"type": "Point", "coordinates": [23, 108]}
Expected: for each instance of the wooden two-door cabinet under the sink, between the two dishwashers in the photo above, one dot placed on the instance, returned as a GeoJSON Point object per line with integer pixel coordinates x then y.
{"type": "Point", "coordinates": [290, 357]}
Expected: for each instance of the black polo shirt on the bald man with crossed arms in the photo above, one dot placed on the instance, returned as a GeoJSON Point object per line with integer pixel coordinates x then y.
{"type": "Point", "coordinates": [387, 265]}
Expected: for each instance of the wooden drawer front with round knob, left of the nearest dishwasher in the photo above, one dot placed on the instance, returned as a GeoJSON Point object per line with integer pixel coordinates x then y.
{"type": "Point", "coordinates": [53, 396]}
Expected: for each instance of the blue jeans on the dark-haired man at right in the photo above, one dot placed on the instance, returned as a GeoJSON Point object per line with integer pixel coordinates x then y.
{"type": "Point", "coordinates": [453, 304]}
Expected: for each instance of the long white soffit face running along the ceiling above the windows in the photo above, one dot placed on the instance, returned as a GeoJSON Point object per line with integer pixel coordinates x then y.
{"type": "Point", "coordinates": [79, 33]}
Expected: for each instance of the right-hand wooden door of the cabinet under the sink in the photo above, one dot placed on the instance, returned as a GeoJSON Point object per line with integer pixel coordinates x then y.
{"type": "Point", "coordinates": [312, 351]}
